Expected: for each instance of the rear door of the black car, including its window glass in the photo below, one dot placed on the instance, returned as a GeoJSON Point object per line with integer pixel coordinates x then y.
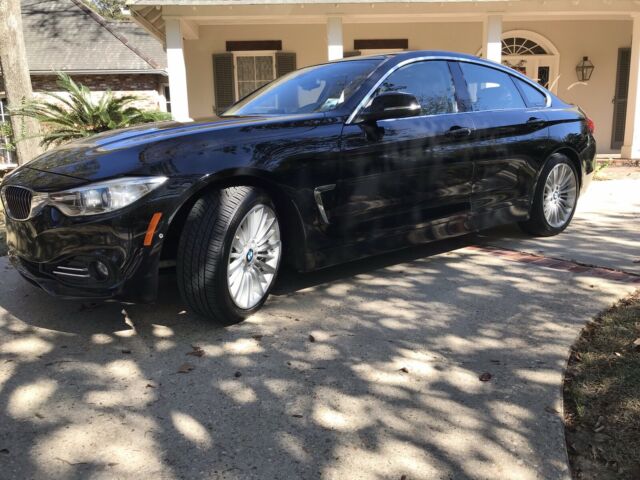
{"type": "Point", "coordinates": [510, 142]}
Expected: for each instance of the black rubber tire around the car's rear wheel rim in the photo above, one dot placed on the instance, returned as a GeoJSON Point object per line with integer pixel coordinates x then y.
{"type": "Point", "coordinates": [537, 223]}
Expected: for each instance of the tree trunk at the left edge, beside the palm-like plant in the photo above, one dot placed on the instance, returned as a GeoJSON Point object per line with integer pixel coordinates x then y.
{"type": "Point", "coordinates": [17, 83]}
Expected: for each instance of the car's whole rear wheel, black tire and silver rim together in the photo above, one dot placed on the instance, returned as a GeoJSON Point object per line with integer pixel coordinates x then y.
{"type": "Point", "coordinates": [555, 198]}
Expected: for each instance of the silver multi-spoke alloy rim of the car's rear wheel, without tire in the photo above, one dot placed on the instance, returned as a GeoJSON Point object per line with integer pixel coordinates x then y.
{"type": "Point", "coordinates": [559, 196]}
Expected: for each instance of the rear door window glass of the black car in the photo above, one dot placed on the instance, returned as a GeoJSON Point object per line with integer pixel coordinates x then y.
{"type": "Point", "coordinates": [490, 89]}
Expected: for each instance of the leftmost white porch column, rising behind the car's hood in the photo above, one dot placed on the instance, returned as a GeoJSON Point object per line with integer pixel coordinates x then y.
{"type": "Point", "coordinates": [177, 70]}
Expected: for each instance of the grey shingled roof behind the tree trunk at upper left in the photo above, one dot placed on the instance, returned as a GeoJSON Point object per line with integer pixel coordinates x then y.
{"type": "Point", "coordinates": [65, 35]}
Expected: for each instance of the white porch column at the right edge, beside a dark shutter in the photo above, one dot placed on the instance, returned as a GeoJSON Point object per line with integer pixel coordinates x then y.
{"type": "Point", "coordinates": [631, 147]}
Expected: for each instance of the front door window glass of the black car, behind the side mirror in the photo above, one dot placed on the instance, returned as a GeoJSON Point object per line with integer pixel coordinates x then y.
{"type": "Point", "coordinates": [430, 82]}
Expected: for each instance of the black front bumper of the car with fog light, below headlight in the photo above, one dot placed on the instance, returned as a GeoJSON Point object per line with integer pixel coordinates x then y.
{"type": "Point", "coordinates": [62, 255]}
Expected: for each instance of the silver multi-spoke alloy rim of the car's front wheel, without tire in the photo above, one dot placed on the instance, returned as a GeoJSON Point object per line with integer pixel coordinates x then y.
{"type": "Point", "coordinates": [254, 257]}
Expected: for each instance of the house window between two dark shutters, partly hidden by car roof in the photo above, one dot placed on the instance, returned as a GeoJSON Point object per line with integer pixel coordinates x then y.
{"type": "Point", "coordinates": [253, 70]}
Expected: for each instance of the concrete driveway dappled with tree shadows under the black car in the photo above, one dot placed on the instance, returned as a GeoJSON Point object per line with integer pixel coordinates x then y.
{"type": "Point", "coordinates": [366, 371]}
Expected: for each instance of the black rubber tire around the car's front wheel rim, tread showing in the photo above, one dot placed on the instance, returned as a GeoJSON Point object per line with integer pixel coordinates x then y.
{"type": "Point", "coordinates": [203, 252]}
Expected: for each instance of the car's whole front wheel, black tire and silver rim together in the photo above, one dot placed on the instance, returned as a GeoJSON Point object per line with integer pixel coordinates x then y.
{"type": "Point", "coordinates": [229, 253]}
